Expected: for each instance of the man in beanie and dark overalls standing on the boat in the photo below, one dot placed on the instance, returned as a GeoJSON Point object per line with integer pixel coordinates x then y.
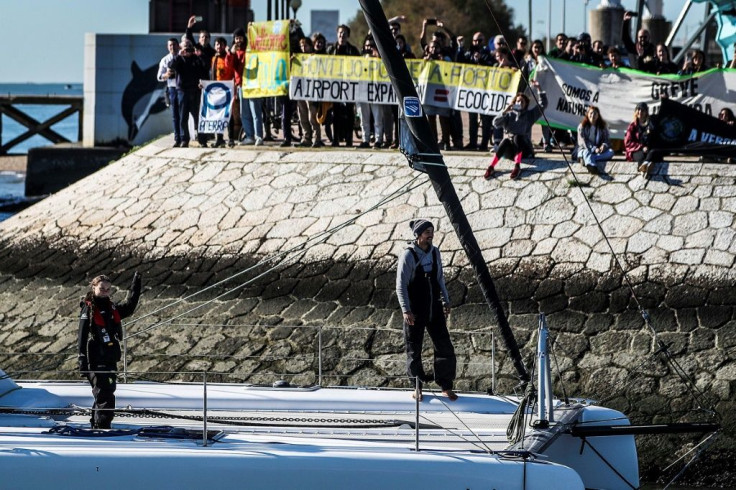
{"type": "Point", "coordinates": [425, 304]}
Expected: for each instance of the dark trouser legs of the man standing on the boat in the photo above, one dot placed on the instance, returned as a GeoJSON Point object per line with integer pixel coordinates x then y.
{"type": "Point", "coordinates": [444, 352]}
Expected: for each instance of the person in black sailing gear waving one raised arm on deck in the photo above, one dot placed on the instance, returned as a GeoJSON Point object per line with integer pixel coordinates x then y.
{"type": "Point", "coordinates": [98, 343]}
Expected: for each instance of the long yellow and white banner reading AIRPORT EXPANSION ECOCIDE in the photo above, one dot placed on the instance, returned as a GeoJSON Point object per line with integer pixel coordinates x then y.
{"type": "Point", "coordinates": [473, 88]}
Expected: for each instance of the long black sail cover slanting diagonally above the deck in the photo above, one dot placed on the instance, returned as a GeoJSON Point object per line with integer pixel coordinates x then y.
{"type": "Point", "coordinates": [417, 133]}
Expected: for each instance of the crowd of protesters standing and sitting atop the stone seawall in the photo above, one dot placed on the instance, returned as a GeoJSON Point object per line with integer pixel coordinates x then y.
{"type": "Point", "coordinates": [506, 135]}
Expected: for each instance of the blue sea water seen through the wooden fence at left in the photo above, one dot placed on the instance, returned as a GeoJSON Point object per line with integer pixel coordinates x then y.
{"type": "Point", "coordinates": [67, 127]}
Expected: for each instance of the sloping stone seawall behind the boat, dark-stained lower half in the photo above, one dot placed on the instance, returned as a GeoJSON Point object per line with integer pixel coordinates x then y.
{"type": "Point", "coordinates": [189, 218]}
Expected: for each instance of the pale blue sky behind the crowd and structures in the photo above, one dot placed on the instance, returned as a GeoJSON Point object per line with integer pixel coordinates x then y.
{"type": "Point", "coordinates": [49, 34]}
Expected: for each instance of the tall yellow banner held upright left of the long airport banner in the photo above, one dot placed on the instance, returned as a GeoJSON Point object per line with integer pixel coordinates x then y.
{"type": "Point", "coordinates": [266, 72]}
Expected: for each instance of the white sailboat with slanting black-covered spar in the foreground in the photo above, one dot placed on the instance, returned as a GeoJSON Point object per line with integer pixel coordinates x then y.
{"type": "Point", "coordinates": [176, 435]}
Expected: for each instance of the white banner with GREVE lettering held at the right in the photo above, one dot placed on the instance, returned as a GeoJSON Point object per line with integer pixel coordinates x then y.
{"type": "Point", "coordinates": [571, 88]}
